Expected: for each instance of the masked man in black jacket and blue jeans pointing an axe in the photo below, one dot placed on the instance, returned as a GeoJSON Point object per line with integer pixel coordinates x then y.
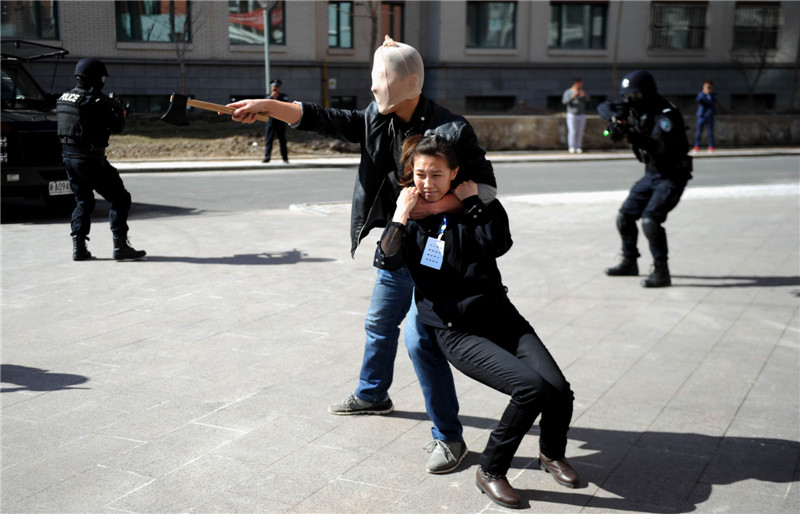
{"type": "Point", "coordinates": [399, 109]}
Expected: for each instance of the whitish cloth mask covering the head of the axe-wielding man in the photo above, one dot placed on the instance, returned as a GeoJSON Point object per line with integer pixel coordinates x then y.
{"type": "Point", "coordinates": [397, 75]}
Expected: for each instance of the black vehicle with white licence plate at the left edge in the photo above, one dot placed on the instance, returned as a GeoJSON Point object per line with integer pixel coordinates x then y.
{"type": "Point", "coordinates": [31, 152]}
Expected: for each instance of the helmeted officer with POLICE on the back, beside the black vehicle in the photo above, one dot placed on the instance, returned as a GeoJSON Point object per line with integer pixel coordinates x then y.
{"type": "Point", "coordinates": [86, 119]}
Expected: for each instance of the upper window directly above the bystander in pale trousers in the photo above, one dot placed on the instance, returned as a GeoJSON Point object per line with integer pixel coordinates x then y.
{"type": "Point", "coordinates": [578, 25]}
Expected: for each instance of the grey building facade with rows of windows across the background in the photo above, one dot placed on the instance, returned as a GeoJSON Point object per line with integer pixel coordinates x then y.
{"type": "Point", "coordinates": [481, 57]}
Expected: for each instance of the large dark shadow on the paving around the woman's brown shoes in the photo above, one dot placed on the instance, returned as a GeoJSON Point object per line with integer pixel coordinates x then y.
{"type": "Point", "coordinates": [652, 471]}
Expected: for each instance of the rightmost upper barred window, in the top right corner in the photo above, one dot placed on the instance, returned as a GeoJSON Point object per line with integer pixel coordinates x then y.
{"type": "Point", "coordinates": [756, 26]}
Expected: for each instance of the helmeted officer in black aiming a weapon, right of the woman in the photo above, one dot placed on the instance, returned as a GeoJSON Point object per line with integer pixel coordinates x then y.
{"type": "Point", "coordinates": [656, 132]}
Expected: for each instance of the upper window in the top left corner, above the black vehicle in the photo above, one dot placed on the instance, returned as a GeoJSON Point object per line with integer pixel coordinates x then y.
{"type": "Point", "coordinates": [25, 19]}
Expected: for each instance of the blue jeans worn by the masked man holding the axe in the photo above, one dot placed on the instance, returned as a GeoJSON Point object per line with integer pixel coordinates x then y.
{"type": "Point", "coordinates": [392, 298]}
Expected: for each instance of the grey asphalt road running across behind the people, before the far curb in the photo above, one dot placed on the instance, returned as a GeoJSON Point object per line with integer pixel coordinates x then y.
{"type": "Point", "coordinates": [166, 194]}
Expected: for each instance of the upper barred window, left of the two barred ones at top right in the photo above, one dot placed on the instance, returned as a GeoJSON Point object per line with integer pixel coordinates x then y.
{"type": "Point", "coordinates": [677, 25]}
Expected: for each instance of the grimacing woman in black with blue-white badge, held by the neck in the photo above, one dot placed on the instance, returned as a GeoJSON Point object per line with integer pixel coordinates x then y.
{"type": "Point", "coordinates": [461, 298]}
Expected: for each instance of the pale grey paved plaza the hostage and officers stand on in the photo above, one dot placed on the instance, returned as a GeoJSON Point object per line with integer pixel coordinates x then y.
{"type": "Point", "coordinates": [199, 379]}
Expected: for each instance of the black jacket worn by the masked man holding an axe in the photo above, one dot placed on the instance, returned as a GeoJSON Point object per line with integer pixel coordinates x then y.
{"type": "Point", "coordinates": [381, 138]}
